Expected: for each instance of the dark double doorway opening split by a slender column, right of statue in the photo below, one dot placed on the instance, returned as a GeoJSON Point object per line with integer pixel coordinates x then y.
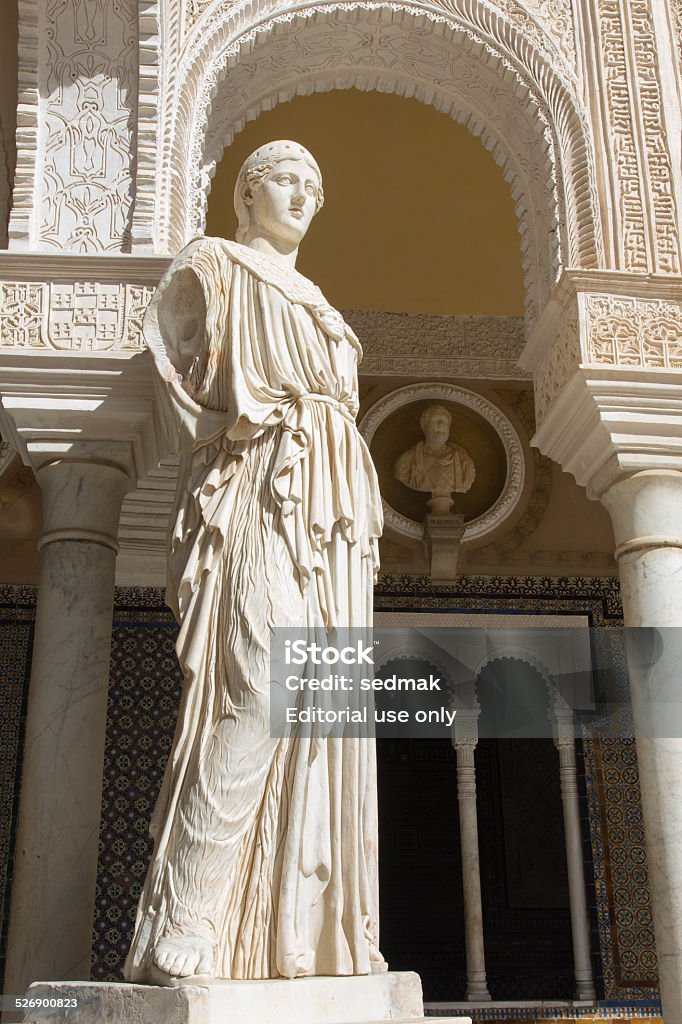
{"type": "Point", "coordinates": [524, 869]}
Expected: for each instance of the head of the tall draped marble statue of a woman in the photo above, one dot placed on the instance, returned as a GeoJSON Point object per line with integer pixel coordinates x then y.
{"type": "Point", "coordinates": [278, 192]}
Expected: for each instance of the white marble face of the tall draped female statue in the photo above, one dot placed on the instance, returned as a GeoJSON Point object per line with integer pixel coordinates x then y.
{"type": "Point", "coordinates": [284, 204]}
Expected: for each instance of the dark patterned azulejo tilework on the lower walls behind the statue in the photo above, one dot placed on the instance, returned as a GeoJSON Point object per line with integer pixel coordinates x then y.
{"type": "Point", "coordinates": [144, 698]}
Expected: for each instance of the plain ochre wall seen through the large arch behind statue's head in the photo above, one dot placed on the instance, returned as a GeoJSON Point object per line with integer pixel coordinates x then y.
{"type": "Point", "coordinates": [417, 216]}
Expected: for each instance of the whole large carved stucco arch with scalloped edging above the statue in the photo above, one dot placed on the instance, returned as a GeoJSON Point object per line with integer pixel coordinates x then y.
{"type": "Point", "coordinates": [465, 58]}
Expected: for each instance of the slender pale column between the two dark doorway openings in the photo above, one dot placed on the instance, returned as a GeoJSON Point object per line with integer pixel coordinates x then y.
{"type": "Point", "coordinates": [464, 742]}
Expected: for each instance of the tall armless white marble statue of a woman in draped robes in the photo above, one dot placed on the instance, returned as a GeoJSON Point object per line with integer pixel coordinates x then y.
{"type": "Point", "coordinates": [266, 855]}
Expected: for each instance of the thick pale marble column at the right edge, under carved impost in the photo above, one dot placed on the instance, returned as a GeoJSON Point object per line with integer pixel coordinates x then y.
{"type": "Point", "coordinates": [647, 510]}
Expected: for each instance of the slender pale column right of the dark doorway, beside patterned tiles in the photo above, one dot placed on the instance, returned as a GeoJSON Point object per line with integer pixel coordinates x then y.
{"type": "Point", "coordinates": [580, 924]}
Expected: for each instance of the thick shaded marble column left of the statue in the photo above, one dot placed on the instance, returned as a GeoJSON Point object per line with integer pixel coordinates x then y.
{"type": "Point", "coordinates": [53, 903]}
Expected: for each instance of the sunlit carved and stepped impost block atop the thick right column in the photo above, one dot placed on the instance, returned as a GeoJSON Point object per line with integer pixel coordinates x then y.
{"type": "Point", "coordinates": [607, 359]}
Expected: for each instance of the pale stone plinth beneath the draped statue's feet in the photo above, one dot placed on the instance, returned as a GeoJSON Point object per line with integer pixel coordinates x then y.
{"type": "Point", "coordinates": [368, 1000]}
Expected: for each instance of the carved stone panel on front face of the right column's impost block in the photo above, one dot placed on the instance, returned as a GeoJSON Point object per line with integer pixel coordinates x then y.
{"type": "Point", "coordinates": [630, 332]}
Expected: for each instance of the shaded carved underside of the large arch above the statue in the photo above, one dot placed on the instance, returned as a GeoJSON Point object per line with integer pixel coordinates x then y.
{"type": "Point", "coordinates": [369, 53]}
